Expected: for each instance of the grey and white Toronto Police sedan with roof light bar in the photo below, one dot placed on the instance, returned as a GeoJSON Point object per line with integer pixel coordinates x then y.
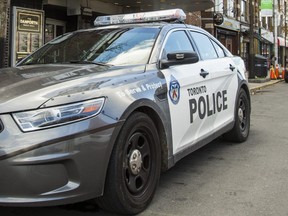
{"type": "Point", "coordinates": [99, 113]}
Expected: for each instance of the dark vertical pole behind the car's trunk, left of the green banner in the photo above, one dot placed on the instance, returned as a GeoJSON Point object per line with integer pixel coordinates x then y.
{"type": "Point", "coordinates": [251, 36]}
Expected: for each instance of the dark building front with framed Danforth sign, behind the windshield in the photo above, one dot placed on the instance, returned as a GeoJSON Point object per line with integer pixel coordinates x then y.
{"type": "Point", "coordinates": [28, 24]}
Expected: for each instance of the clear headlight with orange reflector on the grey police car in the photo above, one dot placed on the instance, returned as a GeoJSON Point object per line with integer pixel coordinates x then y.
{"type": "Point", "coordinates": [55, 116]}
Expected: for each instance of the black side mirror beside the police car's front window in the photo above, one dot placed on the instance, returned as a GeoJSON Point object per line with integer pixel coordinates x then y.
{"type": "Point", "coordinates": [179, 59]}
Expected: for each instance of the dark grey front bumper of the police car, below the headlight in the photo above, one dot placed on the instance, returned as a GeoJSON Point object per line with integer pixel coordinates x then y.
{"type": "Point", "coordinates": [55, 166]}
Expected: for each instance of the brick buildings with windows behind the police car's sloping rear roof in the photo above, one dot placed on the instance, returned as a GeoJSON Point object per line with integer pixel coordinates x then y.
{"type": "Point", "coordinates": [240, 29]}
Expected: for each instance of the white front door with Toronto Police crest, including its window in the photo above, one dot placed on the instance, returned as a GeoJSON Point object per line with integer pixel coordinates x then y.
{"type": "Point", "coordinates": [187, 90]}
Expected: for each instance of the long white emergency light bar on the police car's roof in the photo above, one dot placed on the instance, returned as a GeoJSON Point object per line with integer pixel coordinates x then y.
{"type": "Point", "coordinates": [154, 16]}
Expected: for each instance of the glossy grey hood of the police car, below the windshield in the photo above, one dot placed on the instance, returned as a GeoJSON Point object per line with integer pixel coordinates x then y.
{"type": "Point", "coordinates": [29, 87]}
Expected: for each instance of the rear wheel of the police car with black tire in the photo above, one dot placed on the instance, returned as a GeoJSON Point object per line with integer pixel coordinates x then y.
{"type": "Point", "coordinates": [240, 131]}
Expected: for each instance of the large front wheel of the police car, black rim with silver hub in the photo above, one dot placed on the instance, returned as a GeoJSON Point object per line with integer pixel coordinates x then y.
{"type": "Point", "coordinates": [134, 168]}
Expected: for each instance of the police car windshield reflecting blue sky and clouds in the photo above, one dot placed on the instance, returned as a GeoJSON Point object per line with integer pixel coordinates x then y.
{"type": "Point", "coordinates": [124, 46]}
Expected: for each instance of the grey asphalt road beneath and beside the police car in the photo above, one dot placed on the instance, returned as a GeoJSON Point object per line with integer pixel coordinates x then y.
{"type": "Point", "coordinates": [223, 178]}
